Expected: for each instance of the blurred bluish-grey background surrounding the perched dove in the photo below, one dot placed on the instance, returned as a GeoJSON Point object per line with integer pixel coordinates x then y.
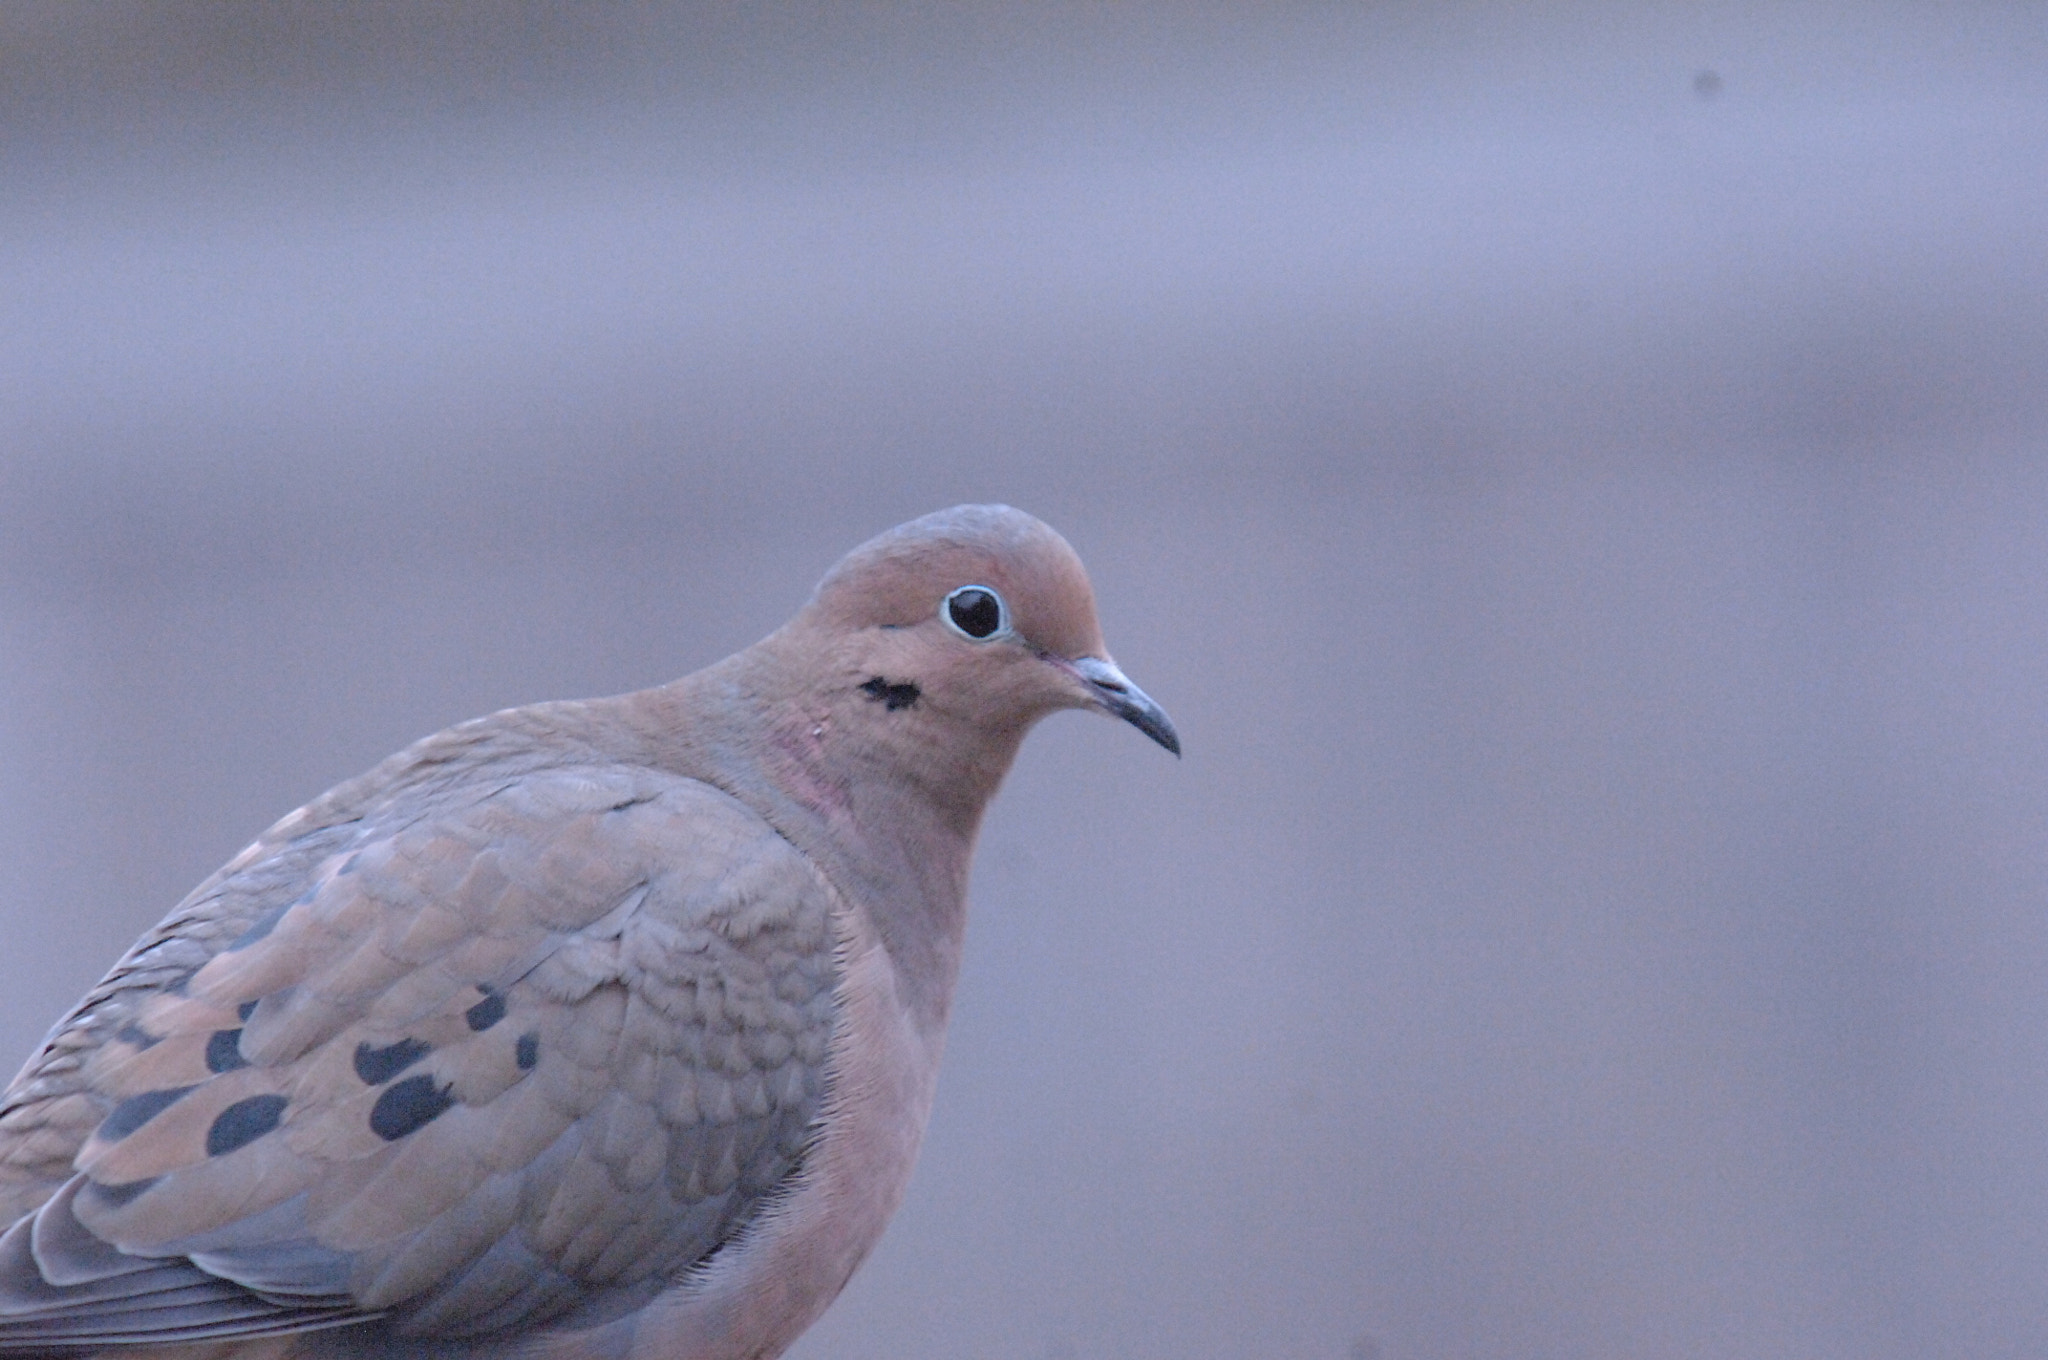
{"type": "Point", "coordinates": [1578, 476]}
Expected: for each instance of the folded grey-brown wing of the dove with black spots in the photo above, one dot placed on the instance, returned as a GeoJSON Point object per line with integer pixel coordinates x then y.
{"type": "Point", "coordinates": [466, 1062]}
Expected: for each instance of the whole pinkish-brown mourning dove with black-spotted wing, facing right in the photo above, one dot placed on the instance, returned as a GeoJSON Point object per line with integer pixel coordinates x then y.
{"type": "Point", "coordinates": [585, 1029]}
